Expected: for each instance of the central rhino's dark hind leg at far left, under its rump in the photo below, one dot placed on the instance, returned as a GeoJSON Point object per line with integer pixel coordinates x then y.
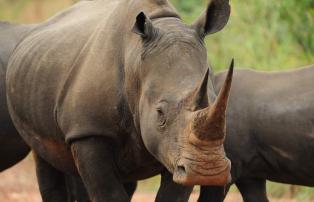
{"type": "Point", "coordinates": [51, 181]}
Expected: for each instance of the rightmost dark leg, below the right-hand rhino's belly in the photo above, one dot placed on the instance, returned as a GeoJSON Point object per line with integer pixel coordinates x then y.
{"type": "Point", "coordinates": [252, 190]}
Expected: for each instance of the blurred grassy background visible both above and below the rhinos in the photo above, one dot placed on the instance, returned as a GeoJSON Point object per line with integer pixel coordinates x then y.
{"type": "Point", "coordinates": [261, 34]}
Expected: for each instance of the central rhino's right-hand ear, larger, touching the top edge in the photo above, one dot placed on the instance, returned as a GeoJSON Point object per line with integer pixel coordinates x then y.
{"type": "Point", "coordinates": [214, 19]}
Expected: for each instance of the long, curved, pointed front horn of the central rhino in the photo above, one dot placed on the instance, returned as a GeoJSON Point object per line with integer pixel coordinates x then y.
{"type": "Point", "coordinates": [210, 123]}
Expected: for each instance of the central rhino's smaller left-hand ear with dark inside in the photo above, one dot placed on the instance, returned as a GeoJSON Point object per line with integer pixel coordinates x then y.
{"type": "Point", "coordinates": [143, 26]}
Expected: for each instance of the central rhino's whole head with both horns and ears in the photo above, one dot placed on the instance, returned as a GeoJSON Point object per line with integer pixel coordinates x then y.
{"type": "Point", "coordinates": [181, 120]}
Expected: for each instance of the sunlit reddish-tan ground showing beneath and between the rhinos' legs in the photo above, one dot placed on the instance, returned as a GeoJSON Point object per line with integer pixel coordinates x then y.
{"type": "Point", "coordinates": [18, 184]}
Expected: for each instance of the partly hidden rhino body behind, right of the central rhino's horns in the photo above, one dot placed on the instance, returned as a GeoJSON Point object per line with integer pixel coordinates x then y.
{"type": "Point", "coordinates": [270, 122]}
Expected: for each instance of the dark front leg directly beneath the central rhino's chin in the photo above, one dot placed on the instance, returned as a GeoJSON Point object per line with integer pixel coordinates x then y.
{"type": "Point", "coordinates": [170, 191]}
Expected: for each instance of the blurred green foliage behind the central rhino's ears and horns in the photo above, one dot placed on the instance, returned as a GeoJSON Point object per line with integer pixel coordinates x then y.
{"type": "Point", "coordinates": [268, 35]}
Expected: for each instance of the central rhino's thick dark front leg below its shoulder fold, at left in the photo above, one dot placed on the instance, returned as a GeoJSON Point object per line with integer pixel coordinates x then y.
{"type": "Point", "coordinates": [94, 161]}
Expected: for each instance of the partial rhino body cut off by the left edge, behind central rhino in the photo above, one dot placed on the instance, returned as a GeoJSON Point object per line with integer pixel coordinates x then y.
{"type": "Point", "coordinates": [13, 148]}
